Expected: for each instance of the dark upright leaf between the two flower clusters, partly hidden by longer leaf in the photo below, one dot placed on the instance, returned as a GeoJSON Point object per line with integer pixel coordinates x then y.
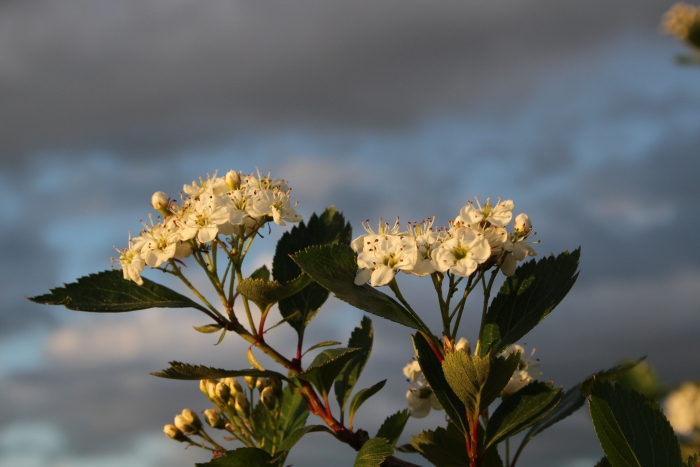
{"type": "Point", "coordinates": [330, 227]}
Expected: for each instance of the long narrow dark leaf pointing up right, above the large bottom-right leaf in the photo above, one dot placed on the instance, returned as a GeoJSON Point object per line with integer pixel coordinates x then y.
{"type": "Point", "coordinates": [573, 399]}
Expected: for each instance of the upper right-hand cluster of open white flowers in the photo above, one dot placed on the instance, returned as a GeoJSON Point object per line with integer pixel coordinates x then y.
{"type": "Point", "coordinates": [477, 236]}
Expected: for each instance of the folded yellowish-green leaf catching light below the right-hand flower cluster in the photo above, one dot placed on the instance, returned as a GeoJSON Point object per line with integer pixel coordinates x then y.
{"type": "Point", "coordinates": [478, 381]}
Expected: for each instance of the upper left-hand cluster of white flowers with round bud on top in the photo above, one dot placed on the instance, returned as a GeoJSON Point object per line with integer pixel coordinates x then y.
{"type": "Point", "coordinates": [233, 205]}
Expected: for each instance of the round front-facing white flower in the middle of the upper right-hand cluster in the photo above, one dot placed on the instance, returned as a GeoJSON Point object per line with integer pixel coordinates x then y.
{"type": "Point", "coordinates": [462, 252]}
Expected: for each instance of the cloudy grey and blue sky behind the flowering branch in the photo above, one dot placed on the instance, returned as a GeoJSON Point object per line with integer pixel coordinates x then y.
{"type": "Point", "coordinates": [577, 111]}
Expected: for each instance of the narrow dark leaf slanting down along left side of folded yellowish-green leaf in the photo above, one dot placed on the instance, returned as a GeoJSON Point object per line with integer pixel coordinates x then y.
{"type": "Point", "coordinates": [432, 370]}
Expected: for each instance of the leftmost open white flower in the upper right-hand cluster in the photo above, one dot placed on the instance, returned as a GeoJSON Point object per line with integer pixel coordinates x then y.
{"type": "Point", "coordinates": [384, 257]}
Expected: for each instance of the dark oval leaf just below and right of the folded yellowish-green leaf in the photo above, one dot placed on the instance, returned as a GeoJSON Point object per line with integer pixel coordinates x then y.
{"type": "Point", "coordinates": [520, 411]}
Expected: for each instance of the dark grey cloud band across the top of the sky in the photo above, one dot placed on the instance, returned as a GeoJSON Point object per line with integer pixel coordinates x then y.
{"type": "Point", "coordinates": [149, 77]}
